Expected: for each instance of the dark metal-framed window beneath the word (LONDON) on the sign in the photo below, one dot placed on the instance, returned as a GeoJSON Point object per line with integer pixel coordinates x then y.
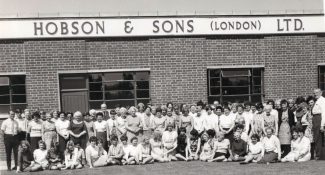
{"type": "Point", "coordinates": [235, 85]}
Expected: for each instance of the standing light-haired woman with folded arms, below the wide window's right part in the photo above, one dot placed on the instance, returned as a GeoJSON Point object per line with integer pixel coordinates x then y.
{"type": "Point", "coordinates": [134, 124]}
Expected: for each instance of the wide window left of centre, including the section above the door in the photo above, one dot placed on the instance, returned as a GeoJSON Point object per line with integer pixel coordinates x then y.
{"type": "Point", "coordinates": [112, 88]}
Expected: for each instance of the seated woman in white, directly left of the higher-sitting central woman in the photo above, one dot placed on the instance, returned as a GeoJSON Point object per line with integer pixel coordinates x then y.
{"type": "Point", "coordinates": [157, 152]}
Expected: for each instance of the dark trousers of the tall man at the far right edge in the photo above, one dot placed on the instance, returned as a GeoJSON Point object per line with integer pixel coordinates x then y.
{"type": "Point", "coordinates": [317, 118]}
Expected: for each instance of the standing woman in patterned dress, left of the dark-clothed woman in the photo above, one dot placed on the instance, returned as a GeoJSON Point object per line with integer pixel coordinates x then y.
{"type": "Point", "coordinates": [284, 130]}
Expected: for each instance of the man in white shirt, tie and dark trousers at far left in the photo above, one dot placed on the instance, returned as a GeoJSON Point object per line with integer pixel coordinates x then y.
{"type": "Point", "coordinates": [9, 129]}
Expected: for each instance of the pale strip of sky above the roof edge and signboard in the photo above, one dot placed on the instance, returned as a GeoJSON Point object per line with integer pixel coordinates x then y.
{"type": "Point", "coordinates": [150, 6]}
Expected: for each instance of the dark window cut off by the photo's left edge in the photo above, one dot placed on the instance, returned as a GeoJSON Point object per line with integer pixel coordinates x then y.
{"type": "Point", "coordinates": [12, 93]}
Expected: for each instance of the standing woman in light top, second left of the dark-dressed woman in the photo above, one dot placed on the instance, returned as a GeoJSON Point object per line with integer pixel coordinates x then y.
{"type": "Point", "coordinates": [49, 135]}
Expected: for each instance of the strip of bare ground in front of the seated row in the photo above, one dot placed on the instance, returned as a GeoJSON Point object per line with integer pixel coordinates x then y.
{"type": "Point", "coordinates": [197, 168]}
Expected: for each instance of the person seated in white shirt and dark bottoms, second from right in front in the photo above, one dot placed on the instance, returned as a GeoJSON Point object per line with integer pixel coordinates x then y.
{"type": "Point", "coordinates": [271, 147]}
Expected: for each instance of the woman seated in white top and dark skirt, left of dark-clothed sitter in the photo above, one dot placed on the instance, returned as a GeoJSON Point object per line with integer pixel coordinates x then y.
{"type": "Point", "coordinates": [222, 148]}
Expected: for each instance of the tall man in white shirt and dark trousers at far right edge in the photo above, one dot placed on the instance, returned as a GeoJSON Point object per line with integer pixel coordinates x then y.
{"type": "Point", "coordinates": [318, 111]}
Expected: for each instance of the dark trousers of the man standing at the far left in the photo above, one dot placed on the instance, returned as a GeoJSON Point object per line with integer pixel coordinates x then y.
{"type": "Point", "coordinates": [11, 144]}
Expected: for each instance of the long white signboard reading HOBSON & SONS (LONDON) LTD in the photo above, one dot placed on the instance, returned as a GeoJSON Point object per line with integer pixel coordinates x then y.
{"type": "Point", "coordinates": [119, 27]}
